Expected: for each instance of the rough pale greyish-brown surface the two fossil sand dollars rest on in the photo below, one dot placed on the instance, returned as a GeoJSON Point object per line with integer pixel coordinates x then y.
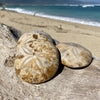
{"type": "Point", "coordinates": [70, 84]}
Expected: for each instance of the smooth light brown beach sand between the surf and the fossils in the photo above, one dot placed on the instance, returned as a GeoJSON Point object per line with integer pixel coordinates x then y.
{"type": "Point", "coordinates": [88, 36]}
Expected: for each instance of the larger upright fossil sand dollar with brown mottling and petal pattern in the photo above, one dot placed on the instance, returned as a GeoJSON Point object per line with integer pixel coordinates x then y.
{"type": "Point", "coordinates": [37, 58]}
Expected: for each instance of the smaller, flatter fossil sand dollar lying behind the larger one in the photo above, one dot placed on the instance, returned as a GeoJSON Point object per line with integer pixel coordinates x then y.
{"type": "Point", "coordinates": [74, 55]}
